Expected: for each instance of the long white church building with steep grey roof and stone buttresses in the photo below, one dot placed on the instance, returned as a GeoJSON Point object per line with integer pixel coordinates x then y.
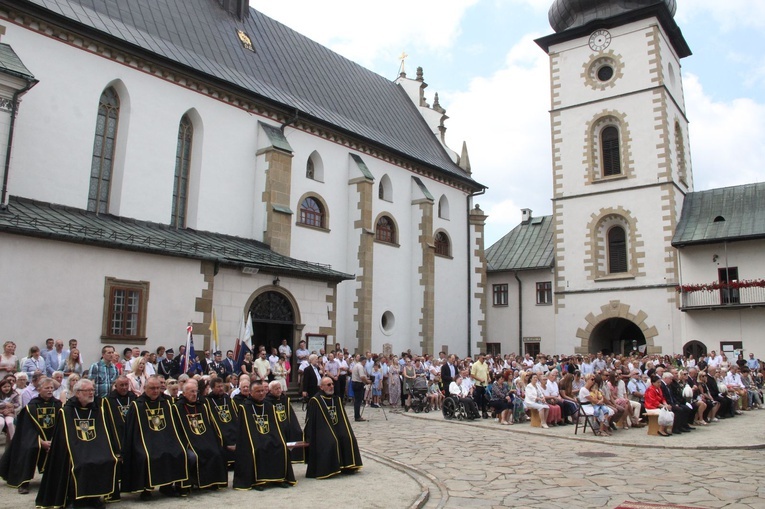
{"type": "Point", "coordinates": [170, 160]}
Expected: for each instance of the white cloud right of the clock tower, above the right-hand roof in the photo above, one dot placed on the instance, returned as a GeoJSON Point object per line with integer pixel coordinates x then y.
{"type": "Point", "coordinates": [726, 138]}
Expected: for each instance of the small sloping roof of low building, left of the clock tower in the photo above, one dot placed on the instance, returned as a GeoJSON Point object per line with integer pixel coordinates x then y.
{"type": "Point", "coordinates": [527, 246]}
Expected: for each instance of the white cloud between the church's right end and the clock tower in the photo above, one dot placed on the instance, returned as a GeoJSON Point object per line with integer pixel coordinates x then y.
{"type": "Point", "coordinates": [504, 120]}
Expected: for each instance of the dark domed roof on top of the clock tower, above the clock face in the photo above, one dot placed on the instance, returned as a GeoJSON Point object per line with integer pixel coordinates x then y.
{"type": "Point", "coordinates": [565, 14]}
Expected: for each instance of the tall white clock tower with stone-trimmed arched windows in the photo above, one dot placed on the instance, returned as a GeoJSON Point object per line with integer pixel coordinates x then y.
{"type": "Point", "coordinates": [621, 169]}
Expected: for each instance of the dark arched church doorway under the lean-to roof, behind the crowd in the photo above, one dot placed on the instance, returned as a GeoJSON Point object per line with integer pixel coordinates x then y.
{"type": "Point", "coordinates": [273, 319]}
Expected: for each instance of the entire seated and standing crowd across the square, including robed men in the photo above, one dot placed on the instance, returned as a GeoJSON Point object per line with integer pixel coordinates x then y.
{"type": "Point", "coordinates": [140, 417]}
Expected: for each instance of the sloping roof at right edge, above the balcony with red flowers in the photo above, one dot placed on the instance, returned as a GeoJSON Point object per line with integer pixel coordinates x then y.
{"type": "Point", "coordinates": [724, 214]}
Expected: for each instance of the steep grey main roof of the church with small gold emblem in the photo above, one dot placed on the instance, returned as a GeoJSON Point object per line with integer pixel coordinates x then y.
{"type": "Point", "coordinates": [285, 67]}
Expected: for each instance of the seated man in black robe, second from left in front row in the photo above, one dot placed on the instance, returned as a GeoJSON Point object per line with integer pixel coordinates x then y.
{"type": "Point", "coordinates": [82, 463]}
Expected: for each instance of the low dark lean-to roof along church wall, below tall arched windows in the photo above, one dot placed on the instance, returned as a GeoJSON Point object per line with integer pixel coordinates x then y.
{"type": "Point", "coordinates": [57, 222]}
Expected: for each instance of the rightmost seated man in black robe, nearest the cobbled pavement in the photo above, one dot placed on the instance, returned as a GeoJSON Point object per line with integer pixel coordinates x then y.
{"type": "Point", "coordinates": [332, 446]}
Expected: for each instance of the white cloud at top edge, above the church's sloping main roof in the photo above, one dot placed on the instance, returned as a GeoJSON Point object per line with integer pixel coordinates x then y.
{"type": "Point", "coordinates": [367, 31]}
